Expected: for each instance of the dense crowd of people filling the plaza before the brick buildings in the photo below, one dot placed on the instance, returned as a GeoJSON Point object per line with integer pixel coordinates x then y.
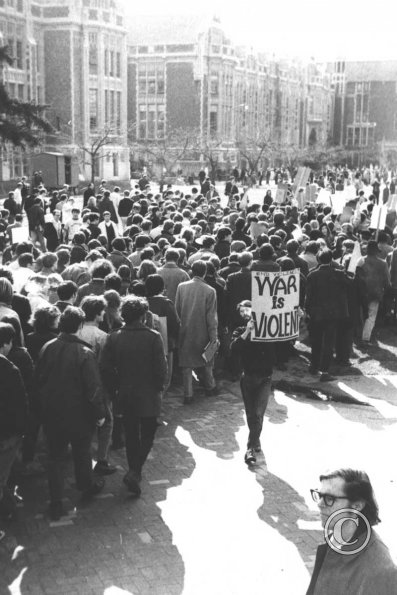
{"type": "Point", "coordinates": [108, 299]}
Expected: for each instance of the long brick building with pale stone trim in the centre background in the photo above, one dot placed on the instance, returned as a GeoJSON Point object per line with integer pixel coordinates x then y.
{"type": "Point", "coordinates": [183, 72]}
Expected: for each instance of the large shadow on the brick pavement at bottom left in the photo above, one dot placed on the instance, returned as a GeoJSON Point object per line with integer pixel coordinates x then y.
{"type": "Point", "coordinates": [116, 541]}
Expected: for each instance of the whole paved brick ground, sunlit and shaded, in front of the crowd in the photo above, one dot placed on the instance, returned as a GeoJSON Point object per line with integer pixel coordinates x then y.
{"type": "Point", "coordinates": [205, 524]}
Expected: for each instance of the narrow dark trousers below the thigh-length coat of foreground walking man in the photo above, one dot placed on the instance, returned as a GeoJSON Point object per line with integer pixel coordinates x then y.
{"type": "Point", "coordinates": [139, 438]}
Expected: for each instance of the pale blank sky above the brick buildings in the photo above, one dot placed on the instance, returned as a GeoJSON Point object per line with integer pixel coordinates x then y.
{"type": "Point", "coordinates": [345, 29]}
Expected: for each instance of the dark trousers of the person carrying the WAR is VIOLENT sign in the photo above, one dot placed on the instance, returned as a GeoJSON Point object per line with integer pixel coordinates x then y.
{"type": "Point", "coordinates": [255, 390]}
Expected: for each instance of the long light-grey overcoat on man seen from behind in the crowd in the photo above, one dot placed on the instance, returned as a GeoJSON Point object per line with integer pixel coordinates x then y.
{"type": "Point", "coordinates": [195, 304]}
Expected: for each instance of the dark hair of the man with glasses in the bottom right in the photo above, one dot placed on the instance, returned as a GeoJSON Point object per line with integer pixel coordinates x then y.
{"type": "Point", "coordinates": [358, 487]}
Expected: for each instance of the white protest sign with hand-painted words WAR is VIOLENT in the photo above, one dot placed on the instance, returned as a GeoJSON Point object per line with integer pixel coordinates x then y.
{"type": "Point", "coordinates": [275, 306]}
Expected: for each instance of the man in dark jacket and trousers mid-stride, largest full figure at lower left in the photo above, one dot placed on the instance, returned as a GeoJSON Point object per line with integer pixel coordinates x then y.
{"type": "Point", "coordinates": [71, 398]}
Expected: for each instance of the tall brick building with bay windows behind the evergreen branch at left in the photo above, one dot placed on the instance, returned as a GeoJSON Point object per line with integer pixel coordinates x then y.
{"type": "Point", "coordinates": [72, 55]}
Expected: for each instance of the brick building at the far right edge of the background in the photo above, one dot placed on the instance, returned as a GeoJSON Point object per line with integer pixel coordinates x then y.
{"type": "Point", "coordinates": [365, 105]}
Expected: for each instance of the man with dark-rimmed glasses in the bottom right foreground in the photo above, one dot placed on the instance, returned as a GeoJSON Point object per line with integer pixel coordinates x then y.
{"type": "Point", "coordinates": [353, 560]}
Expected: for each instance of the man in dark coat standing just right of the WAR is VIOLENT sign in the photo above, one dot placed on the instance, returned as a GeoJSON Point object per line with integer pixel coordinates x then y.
{"type": "Point", "coordinates": [326, 304]}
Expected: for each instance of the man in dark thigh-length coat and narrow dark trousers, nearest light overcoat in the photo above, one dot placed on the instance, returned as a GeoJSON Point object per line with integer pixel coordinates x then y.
{"type": "Point", "coordinates": [133, 365]}
